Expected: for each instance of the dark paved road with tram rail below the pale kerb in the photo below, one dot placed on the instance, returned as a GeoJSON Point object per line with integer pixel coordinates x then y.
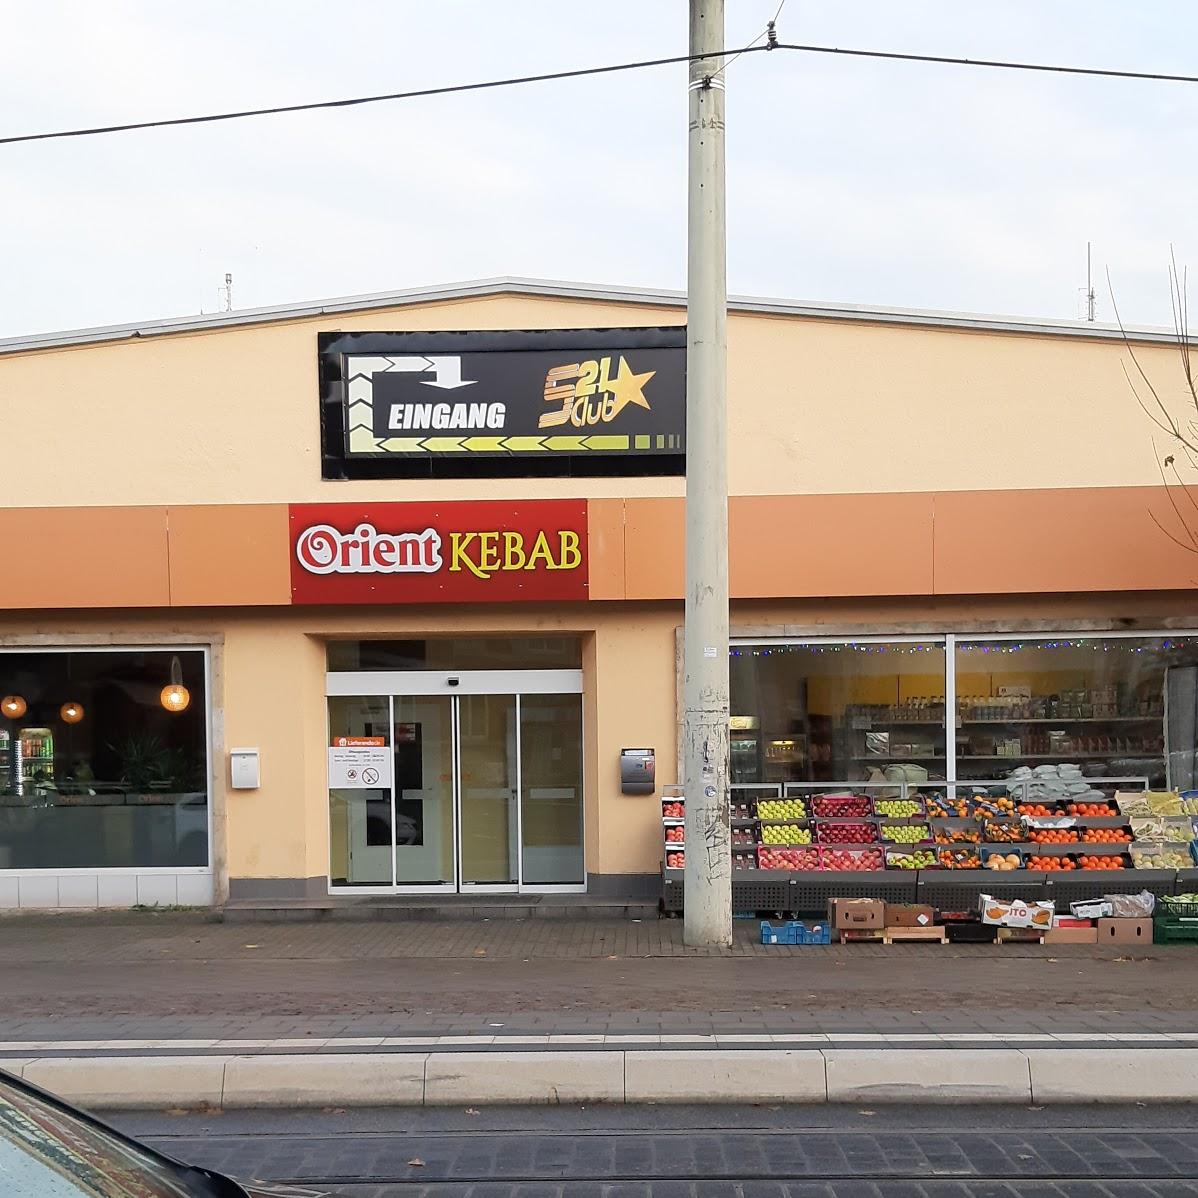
{"type": "Point", "coordinates": [698, 1152]}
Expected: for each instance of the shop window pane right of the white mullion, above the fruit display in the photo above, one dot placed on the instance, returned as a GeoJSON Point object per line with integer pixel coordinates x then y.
{"type": "Point", "coordinates": [1106, 707]}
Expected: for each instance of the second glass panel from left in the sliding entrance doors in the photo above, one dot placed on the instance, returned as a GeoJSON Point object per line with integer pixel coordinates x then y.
{"type": "Point", "coordinates": [425, 815]}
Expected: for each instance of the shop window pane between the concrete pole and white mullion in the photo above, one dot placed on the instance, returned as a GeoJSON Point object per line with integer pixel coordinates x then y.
{"type": "Point", "coordinates": [854, 711]}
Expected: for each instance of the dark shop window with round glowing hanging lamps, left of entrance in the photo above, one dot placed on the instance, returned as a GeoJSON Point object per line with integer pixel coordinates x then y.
{"type": "Point", "coordinates": [104, 760]}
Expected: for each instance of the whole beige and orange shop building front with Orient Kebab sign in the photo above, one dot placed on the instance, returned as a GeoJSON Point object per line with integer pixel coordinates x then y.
{"type": "Point", "coordinates": [291, 608]}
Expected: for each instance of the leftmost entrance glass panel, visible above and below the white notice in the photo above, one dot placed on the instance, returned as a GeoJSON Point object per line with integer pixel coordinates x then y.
{"type": "Point", "coordinates": [360, 816]}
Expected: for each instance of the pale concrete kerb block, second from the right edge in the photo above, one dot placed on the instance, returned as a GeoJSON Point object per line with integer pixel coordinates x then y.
{"type": "Point", "coordinates": [913, 1075]}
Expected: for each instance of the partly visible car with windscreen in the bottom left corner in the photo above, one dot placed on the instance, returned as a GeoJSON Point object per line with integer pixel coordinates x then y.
{"type": "Point", "coordinates": [50, 1149]}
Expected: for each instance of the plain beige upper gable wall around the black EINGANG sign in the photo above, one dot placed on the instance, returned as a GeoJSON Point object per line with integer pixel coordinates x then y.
{"type": "Point", "coordinates": [818, 407]}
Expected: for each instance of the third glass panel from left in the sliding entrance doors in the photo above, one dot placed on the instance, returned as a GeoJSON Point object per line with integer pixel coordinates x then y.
{"type": "Point", "coordinates": [488, 789]}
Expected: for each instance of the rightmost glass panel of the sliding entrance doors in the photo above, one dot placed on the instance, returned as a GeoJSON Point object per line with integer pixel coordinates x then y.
{"type": "Point", "coordinates": [552, 790]}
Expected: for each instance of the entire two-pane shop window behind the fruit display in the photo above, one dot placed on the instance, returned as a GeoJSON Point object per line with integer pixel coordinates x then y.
{"type": "Point", "coordinates": [1106, 707]}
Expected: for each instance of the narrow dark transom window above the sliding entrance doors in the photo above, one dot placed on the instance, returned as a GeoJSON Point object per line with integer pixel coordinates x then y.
{"type": "Point", "coordinates": [458, 654]}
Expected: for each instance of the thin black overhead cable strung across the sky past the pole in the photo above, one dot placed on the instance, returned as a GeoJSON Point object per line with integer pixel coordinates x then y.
{"type": "Point", "coordinates": [517, 81]}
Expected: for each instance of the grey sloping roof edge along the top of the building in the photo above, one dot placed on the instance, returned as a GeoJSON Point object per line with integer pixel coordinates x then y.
{"type": "Point", "coordinates": [597, 293]}
